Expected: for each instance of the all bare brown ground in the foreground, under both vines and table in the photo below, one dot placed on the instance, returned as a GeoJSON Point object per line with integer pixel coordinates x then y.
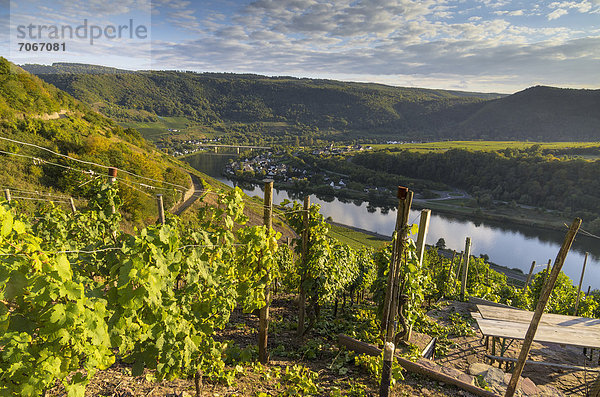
{"type": "Point", "coordinates": [319, 350]}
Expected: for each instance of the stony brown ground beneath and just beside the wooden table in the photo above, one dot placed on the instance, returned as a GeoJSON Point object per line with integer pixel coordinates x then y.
{"type": "Point", "coordinates": [471, 349]}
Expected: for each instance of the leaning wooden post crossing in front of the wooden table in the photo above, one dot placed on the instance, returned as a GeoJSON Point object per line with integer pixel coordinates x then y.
{"type": "Point", "coordinates": [541, 305]}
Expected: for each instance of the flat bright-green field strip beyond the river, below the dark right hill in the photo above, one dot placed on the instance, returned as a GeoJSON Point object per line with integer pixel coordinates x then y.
{"type": "Point", "coordinates": [487, 146]}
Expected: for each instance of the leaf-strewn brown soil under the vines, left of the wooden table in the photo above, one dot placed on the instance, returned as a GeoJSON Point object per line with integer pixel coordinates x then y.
{"type": "Point", "coordinates": [286, 350]}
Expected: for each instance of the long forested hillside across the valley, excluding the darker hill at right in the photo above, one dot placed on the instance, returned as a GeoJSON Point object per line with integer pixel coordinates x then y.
{"type": "Point", "coordinates": [212, 98]}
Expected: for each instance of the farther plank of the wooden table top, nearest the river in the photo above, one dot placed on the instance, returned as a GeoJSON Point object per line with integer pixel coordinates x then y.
{"type": "Point", "coordinates": [524, 316]}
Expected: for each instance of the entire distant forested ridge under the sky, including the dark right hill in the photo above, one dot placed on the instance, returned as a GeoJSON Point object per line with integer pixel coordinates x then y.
{"type": "Point", "coordinates": [372, 110]}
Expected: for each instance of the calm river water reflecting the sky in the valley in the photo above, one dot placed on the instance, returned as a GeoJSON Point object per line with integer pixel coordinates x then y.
{"type": "Point", "coordinates": [510, 245]}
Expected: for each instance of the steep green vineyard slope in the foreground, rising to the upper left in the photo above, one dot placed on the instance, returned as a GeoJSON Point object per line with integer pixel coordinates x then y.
{"type": "Point", "coordinates": [89, 307]}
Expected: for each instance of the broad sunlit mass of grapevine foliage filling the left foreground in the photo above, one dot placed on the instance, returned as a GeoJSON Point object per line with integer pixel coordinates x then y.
{"type": "Point", "coordinates": [169, 290]}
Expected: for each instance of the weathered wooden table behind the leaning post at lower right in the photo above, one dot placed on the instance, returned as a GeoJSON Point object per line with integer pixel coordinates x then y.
{"type": "Point", "coordinates": [507, 324]}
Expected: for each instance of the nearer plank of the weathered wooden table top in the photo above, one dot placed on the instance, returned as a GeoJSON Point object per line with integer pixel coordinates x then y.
{"type": "Point", "coordinates": [574, 336]}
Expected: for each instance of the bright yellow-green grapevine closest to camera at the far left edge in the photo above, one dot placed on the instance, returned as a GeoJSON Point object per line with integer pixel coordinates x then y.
{"type": "Point", "coordinates": [50, 327]}
